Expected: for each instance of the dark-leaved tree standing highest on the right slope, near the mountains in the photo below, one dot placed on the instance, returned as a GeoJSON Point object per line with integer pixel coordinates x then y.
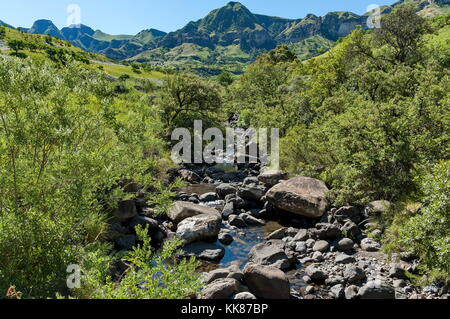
{"type": "Point", "coordinates": [402, 30]}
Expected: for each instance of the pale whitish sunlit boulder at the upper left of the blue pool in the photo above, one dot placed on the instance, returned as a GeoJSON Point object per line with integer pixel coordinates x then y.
{"type": "Point", "coordinates": [200, 227]}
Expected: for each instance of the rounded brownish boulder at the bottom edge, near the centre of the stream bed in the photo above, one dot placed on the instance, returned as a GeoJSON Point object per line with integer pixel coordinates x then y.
{"type": "Point", "coordinates": [267, 282]}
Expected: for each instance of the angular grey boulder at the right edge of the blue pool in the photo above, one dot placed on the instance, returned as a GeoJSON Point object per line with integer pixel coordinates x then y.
{"type": "Point", "coordinates": [270, 253]}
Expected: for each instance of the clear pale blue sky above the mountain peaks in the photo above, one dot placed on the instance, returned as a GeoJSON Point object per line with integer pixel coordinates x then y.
{"type": "Point", "coordinates": [132, 16]}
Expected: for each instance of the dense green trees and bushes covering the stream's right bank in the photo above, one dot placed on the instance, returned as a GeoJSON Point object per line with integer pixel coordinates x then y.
{"type": "Point", "coordinates": [371, 119]}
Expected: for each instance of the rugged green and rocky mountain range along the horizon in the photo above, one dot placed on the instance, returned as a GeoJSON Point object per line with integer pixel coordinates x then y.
{"type": "Point", "coordinates": [228, 35]}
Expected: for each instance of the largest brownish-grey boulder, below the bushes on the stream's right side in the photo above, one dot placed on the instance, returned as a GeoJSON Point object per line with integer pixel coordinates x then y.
{"type": "Point", "coordinates": [301, 195]}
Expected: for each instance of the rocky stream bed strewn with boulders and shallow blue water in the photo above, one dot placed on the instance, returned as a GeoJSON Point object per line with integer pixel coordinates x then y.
{"type": "Point", "coordinates": [265, 235]}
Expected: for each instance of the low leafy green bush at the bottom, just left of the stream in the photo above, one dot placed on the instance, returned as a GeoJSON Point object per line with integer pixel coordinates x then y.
{"type": "Point", "coordinates": [150, 276]}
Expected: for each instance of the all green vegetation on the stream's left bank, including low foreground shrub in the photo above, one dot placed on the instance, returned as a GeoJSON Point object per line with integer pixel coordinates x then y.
{"type": "Point", "coordinates": [68, 136]}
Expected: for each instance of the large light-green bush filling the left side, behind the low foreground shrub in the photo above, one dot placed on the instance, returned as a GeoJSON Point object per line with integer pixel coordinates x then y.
{"type": "Point", "coordinates": [65, 142]}
